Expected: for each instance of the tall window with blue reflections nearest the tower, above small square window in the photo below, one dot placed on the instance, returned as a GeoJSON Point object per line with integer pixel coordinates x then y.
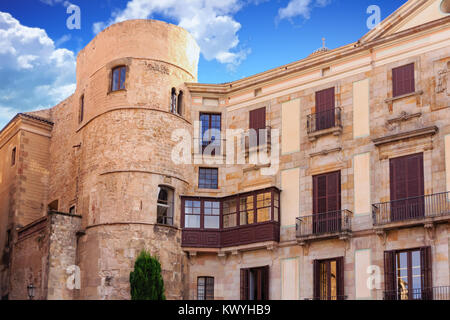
{"type": "Point", "coordinates": [210, 125]}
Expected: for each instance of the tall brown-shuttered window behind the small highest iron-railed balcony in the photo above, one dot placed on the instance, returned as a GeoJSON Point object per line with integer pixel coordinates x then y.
{"type": "Point", "coordinates": [325, 105]}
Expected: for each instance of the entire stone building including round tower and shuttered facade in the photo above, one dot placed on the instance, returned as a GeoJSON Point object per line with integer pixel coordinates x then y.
{"type": "Point", "coordinates": [327, 178]}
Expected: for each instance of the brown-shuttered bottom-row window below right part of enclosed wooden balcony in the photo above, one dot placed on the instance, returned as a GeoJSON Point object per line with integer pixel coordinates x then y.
{"type": "Point", "coordinates": [255, 283]}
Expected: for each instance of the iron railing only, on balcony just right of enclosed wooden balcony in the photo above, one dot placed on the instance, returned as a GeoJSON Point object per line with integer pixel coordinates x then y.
{"type": "Point", "coordinates": [323, 223]}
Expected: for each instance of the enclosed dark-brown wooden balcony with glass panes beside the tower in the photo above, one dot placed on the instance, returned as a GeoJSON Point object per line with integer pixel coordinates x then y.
{"type": "Point", "coordinates": [233, 221]}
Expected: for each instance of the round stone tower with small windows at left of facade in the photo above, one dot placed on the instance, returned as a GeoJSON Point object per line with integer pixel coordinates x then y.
{"type": "Point", "coordinates": [124, 157]}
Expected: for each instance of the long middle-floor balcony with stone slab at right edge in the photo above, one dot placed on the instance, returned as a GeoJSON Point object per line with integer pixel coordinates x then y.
{"type": "Point", "coordinates": [422, 210]}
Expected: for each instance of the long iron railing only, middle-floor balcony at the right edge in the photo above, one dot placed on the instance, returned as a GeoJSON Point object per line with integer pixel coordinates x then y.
{"type": "Point", "coordinates": [434, 205]}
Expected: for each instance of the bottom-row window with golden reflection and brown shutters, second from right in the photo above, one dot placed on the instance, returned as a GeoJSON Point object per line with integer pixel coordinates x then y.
{"type": "Point", "coordinates": [329, 279]}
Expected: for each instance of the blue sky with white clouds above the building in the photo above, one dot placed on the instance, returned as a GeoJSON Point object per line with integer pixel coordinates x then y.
{"type": "Point", "coordinates": [238, 38]}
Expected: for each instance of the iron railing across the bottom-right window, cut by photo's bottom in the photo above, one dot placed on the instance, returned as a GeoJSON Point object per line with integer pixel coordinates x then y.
{"type": "Point", "coordinates": [435, 293]}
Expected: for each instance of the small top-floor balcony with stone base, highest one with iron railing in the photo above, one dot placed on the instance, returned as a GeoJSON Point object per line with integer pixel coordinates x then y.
{"type": "Point", "coordinates": [324, 123]}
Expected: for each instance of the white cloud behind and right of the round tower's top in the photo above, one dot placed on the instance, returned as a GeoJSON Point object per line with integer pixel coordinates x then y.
{"type": "Point", "coordinates": [211, 23]}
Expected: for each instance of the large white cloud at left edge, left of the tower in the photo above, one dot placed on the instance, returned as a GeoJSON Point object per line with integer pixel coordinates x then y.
{"type": "Point", "coordinates": [33, 71]}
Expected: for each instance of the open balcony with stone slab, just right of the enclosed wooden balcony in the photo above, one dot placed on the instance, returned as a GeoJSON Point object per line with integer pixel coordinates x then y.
{"type": "Point", "coordinates": [333, 224]}
